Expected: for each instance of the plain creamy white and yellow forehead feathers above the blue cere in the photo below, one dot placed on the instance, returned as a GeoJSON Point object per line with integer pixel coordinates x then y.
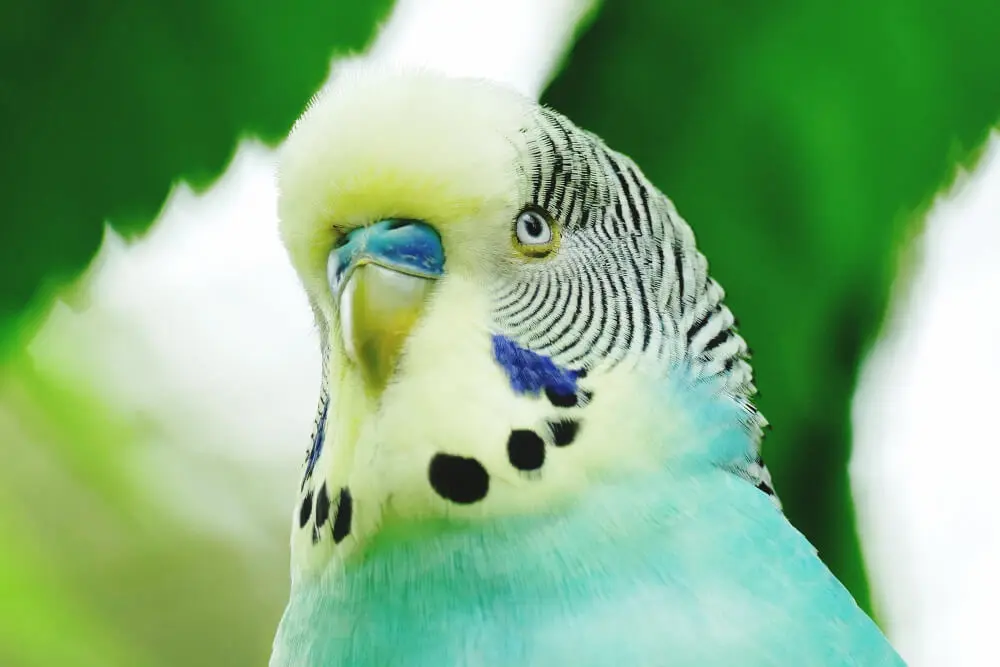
{"type": "Point", "coordinates": [376, 144]}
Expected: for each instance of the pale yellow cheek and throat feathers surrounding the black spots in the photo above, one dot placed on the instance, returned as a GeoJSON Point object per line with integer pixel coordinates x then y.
{"type": "Point", "coordinates": [452, 398]}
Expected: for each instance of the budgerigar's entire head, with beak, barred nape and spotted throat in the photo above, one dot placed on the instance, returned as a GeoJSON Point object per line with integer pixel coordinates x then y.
{"type": "Point", "coordinates": [496, 293]}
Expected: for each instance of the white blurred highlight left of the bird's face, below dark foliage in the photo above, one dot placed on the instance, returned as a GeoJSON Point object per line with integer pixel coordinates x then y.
{"type": "Point", "coordinates": [200, 331]}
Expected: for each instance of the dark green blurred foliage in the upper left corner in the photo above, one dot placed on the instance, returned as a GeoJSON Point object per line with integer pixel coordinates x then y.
{"type": "Point", "coordinates": [104, 105]}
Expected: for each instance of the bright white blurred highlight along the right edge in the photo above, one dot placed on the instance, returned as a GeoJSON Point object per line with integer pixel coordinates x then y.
{"type": "Point", "coordinates": [927, 447]}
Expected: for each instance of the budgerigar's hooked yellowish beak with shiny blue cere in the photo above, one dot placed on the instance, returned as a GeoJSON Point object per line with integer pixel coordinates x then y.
{"type": "Point", "coordinates": [381, 276]}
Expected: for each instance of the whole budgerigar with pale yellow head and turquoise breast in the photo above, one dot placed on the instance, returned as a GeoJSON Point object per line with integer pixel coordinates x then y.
{"type": "Point", "coordinates": [536, 444]}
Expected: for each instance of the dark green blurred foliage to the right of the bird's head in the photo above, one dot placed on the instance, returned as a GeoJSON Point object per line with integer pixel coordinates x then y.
{"type": "Point", "coordinates": [800, 139]}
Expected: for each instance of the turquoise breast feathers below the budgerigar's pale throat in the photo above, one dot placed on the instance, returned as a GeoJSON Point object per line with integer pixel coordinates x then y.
{"type": "Point", "coordinates": [683, 566]}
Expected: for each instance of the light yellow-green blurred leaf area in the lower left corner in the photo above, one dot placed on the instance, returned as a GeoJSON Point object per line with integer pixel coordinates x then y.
{"type": "Point", "coordinates": [97, 566]}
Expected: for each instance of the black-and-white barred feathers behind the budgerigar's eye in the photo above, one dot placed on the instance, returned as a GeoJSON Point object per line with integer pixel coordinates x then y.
{"type": "Point", "coordinates": [628, 284]}
